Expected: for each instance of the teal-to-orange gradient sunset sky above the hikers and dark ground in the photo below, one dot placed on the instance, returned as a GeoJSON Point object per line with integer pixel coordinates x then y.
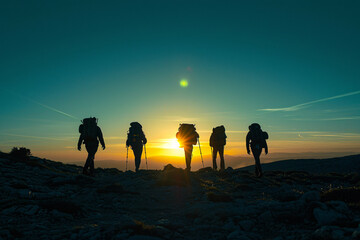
{"type": "Point", "coordinates": [292, 66]}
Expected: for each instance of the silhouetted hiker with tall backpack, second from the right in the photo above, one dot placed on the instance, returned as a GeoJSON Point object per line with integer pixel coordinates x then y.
{"type": "Point", "coordinates": [217, 142]}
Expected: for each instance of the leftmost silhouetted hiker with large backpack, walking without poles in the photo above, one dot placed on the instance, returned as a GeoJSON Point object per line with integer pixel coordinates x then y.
{"type": "Point", "coordinates": [90, 134]}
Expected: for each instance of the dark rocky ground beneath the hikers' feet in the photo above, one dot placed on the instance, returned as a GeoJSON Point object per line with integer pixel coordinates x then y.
{"type": "Point", "coordinates": [42, 199]}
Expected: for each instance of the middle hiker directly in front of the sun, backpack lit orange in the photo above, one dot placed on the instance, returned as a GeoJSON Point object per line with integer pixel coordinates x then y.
{"type": "Point", "coordinates": [187, 137]}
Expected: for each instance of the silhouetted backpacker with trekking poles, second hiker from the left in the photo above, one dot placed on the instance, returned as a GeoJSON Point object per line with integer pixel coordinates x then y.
{"type": "Point", "coordinates": [136, 139]}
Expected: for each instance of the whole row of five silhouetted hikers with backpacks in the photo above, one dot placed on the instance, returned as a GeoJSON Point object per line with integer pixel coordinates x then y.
{"type": "Point", "coordinates": [91, 135]}
